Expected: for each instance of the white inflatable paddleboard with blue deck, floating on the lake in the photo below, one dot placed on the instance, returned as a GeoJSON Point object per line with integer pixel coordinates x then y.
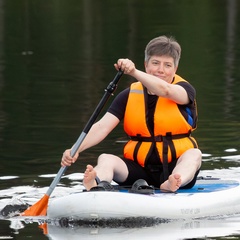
{"type": "Point", "coordinates": [208, 198]}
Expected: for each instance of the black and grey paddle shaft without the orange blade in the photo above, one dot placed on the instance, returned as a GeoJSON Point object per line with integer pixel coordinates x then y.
{"type": "Point", "coordinates": [108, 92]}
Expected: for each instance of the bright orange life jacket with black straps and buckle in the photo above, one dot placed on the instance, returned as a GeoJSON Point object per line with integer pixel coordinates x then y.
{"type": "Point", "coordinates": [171, 130]}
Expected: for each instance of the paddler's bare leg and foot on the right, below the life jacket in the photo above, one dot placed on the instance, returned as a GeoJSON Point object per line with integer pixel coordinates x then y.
{"type": "Point", "coordinates": [185, 170]}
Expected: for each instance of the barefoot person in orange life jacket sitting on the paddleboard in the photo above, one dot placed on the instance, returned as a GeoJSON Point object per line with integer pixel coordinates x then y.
{"type": "Point", "coordinates": [159, 113]}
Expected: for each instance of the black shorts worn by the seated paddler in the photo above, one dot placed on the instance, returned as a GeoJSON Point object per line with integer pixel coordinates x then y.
{"type": "Point", "coordinates": [152, 175]}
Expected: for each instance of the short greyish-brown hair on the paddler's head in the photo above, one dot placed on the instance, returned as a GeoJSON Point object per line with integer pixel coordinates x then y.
{"type": "Point", "coordinates": [161, 46]}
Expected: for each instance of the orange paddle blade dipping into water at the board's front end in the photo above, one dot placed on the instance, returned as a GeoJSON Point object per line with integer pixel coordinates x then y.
{"type": "Point", "coordinates": [38, 209]}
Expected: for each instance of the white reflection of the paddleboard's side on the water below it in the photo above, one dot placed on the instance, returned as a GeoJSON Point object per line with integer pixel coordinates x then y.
{"type": "Point", "coordinates": [172, 231]}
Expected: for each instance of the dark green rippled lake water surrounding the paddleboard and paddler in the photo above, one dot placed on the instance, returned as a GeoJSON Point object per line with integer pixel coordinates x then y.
{"type": "Point", "coordinates": [56, 59]}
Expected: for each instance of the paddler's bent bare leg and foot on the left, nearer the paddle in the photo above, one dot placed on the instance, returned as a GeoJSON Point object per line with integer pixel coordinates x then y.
{"type": "Point", "coordinates": [109, 166]}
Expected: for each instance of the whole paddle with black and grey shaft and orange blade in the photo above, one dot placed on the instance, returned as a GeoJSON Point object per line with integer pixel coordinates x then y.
{"type": "Point", "coordinates": [40, 208]}
